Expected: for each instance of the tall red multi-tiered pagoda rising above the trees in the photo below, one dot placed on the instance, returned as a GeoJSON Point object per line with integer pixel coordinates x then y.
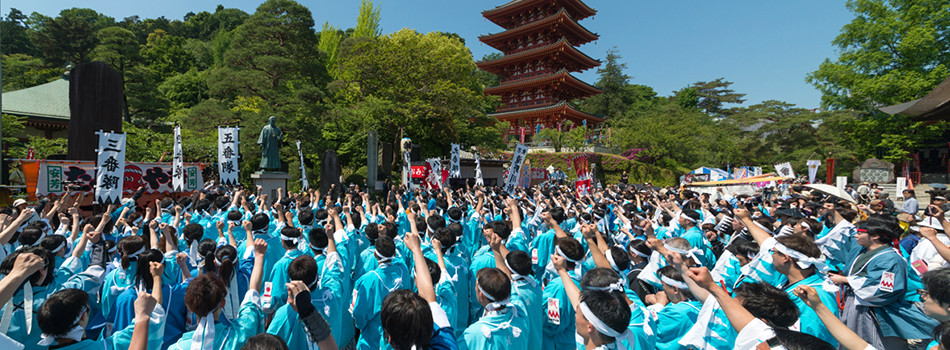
{"type": "Point", "coordinates": [539, 43]}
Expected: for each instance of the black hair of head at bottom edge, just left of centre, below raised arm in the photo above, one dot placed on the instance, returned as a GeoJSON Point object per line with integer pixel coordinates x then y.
{"type": "Point", "coordinates": [406, 320]}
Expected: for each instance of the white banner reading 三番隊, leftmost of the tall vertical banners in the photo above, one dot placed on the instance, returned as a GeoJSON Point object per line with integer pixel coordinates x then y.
{"type": "Point", "coordinates": [110, 167]}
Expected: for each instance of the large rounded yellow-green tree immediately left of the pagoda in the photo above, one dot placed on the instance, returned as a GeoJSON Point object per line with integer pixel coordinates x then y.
{"type": "Point", "coordinates": [406, 84]}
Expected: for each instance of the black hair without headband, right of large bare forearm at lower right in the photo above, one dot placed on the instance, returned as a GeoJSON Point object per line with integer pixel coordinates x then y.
{"type": "Point", "coordinates": [769, 303]}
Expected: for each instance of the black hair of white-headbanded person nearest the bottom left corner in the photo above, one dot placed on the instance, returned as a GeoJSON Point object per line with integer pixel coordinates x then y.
{"type": "Point", "coordinates": [60, 309]}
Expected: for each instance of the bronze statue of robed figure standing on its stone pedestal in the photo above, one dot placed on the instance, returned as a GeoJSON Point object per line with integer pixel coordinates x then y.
{"type": "Point", "coordinates": [269, 177]}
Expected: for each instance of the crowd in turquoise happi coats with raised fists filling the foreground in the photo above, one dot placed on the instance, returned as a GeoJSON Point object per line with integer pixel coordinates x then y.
{"type": "Point", "coordinates": [622, 267]}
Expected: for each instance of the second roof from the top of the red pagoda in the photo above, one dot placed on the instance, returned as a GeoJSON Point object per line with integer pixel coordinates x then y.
{"type": "Point", "coordinates": [561, 22]}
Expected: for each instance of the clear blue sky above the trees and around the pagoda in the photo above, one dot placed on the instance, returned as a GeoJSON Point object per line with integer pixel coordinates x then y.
{"type": "Point", "coordinates": [765, 47]}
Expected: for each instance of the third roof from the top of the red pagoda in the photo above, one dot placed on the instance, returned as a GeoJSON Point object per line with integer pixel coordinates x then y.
{"type": "Point", "coordinates": [562, 51]}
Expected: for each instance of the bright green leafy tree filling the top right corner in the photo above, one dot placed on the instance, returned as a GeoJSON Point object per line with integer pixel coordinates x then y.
{"type": "Point", "coordinates": [893, 51]}
